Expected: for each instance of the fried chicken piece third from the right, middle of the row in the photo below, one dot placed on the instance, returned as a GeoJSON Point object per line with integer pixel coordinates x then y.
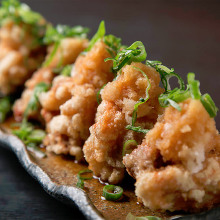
{"type": "Point", "coordinates": [68, 131]}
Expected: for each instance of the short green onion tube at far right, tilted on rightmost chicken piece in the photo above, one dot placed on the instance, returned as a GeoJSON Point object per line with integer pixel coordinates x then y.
{"type": "Point", "coordinates": [209, 105]}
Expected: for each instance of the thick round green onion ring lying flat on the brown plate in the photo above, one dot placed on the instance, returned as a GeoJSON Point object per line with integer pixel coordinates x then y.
{"type": "Point", "coordinates": [112, 192]}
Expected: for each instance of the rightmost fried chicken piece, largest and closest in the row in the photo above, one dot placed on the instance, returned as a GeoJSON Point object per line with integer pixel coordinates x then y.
{"type": "Point", "coordinates": [177, 167]}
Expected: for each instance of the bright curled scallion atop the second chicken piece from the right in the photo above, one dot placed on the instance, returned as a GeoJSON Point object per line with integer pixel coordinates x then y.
{"type": "Point", "coordinates": [135, 53]}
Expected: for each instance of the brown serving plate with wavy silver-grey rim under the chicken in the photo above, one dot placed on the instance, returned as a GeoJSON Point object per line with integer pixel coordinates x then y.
{"type": "Point", "coordinates": [56, 176]}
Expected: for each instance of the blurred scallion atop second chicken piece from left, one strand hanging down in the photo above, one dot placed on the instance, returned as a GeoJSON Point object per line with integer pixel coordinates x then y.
{"type": "Point", "coordinates": [54, 35]}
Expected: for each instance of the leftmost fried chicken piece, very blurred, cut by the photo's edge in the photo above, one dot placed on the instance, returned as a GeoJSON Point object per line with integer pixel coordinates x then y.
{"type": "Point", "coordinates": [20, 56]}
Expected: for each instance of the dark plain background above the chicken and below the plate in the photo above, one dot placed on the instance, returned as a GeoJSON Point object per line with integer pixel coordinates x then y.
{"type": "Point", "coordinates": [182, 34]}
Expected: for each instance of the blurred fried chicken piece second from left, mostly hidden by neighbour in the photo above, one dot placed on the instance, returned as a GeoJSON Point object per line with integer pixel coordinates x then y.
{"type": "Point", "coordinates": [67, 53]}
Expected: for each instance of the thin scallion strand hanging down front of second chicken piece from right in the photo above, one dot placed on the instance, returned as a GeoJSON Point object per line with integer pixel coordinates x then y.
{"type": "Point", "coordinates": [141, 101]}
